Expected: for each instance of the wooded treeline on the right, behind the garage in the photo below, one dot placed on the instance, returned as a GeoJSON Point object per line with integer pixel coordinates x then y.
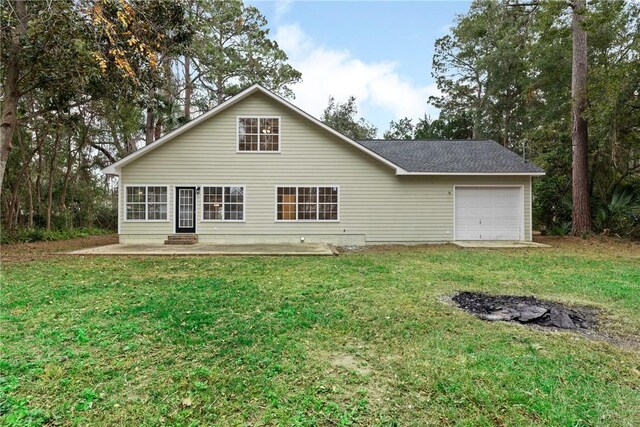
{"type": "Point", "coordinates": [505, 73]}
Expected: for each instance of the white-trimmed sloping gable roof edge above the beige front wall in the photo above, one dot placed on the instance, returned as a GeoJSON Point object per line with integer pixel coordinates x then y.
{"type": "Point", "coordinates": [115, 167]}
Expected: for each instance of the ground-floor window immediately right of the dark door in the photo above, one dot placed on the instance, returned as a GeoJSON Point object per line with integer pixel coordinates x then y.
{"type": "Point", "coordinates": [223, 203]}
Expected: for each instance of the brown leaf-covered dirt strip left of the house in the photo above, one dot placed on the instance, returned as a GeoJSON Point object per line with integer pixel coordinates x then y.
{"type": "Point", "coordinates": [26, 252]}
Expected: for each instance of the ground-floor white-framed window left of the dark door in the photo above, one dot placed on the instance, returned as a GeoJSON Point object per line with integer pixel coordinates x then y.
{"type": "Point", "coordinates": [146, 203]}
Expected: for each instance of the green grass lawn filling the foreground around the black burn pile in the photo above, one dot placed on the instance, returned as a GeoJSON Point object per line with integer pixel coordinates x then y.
{"type": "Point", "coordinates": [359, 339]}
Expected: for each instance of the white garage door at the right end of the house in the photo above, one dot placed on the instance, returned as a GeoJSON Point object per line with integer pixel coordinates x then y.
{"type": "Point", "coordinates": [489, 213]}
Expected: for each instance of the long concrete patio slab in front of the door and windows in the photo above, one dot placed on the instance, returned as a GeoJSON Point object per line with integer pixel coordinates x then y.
{"type": "Point", "coordinates": [315, 249]}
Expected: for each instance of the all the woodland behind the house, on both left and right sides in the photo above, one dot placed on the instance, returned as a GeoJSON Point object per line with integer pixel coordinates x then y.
{"type": "Point", "coordinates": [85, 82]}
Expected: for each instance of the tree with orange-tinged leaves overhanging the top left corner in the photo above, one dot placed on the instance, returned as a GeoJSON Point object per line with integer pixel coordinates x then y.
{"type": "Point", "coordinates": [72, 53]}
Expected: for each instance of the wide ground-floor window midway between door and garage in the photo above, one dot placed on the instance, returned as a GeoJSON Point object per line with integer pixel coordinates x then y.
{"type": "Point", "coordinates": [307, 204]}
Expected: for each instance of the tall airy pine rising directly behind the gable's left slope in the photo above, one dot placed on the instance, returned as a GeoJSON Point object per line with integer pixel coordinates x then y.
{"type": "Point", "coordinates": [231, 51]}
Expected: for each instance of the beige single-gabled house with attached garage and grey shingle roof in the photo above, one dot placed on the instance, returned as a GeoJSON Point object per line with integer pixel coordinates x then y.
{"type": "Point", "coordinates": [258, 169]}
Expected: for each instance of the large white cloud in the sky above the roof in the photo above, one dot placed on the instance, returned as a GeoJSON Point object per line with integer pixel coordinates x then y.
{"type": "Point", "coordinates": [379, 89]}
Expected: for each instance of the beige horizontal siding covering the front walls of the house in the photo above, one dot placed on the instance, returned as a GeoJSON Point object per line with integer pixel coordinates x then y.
{"type": "Point", "coordinates": [374, 204]}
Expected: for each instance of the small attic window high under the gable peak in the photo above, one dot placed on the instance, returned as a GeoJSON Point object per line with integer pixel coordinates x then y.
{"type": "Point", "coordinates": [259, 134]}
